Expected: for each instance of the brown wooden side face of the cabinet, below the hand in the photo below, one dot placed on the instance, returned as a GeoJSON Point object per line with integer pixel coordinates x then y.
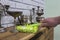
{"type": "Point", "coordinates": [47, 34]}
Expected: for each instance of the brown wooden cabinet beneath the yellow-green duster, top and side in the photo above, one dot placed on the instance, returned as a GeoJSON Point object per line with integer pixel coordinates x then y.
{"type": "Point", "coordinates": [43, 34]}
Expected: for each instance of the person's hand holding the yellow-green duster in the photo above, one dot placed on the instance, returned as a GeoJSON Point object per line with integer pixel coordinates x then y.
{"type": "Point", "coordinates": [49, 22]}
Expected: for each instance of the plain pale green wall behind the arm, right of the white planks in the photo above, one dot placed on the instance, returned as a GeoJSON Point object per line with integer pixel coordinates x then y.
{"type": "Point", "coordinates": [52, 9]}
